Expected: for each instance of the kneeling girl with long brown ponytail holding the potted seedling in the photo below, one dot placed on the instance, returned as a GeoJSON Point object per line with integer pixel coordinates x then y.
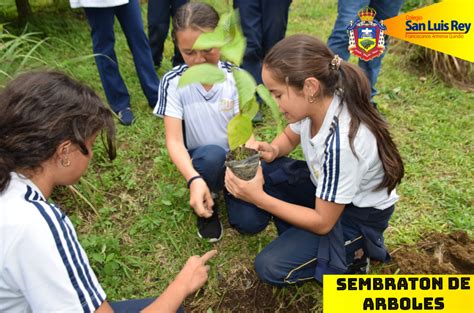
{"type": "Point", "coordinates": [330, 211]}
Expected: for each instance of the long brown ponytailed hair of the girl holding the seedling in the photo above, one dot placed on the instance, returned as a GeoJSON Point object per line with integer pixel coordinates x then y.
{"type": "Point", "coordinates": [298, 57]}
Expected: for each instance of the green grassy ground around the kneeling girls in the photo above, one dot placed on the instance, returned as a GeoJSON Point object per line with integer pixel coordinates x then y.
{"type": "Point", "coordinates": [144, 230]}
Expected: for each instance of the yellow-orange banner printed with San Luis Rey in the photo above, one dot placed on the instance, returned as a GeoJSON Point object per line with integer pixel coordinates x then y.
{"type": "Point", "coordinates": [446, 26]}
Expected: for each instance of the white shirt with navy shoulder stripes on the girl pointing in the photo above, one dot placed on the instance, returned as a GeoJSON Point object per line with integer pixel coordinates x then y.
{"type": "Point", "coordinates": [43, 268]}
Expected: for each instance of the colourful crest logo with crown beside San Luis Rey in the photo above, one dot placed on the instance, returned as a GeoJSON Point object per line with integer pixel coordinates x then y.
{"type": "Point", "coordinates": [366, 38]}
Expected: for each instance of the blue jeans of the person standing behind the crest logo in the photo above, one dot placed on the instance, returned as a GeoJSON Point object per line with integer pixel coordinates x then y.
{"type": "Point", "coordinates": [338, 42]}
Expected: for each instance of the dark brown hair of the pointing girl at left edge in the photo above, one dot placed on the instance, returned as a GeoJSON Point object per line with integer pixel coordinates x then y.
{"type": "Point", "coordinates": [39, 111]}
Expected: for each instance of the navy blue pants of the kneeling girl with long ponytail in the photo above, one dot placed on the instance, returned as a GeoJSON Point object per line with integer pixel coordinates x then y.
{"type": "Point", "coordinates": [298, 255]}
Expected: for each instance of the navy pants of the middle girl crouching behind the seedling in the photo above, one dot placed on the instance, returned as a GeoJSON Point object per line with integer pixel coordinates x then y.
{"type": "Point", "coordinates": [209, 163]}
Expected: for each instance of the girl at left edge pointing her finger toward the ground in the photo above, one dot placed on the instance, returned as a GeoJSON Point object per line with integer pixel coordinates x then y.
{"type": "Point", "coordinates": [48, 126]}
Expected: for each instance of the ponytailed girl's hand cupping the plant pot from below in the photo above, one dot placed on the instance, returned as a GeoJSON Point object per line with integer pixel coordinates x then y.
{"type": "Point", "coordinates": [248, 191]}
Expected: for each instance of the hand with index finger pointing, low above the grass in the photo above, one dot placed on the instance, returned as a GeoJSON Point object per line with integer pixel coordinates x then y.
{"type": "Point", "coordinates": [195, 272]}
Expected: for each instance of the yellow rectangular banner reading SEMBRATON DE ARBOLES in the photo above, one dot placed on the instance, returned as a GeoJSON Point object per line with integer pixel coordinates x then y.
{"type": "Point", "coordinates": [398, 293]}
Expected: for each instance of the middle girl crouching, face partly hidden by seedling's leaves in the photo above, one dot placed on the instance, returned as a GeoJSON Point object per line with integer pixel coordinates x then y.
{"type": "Point", "coordinates": [196, 118]}
